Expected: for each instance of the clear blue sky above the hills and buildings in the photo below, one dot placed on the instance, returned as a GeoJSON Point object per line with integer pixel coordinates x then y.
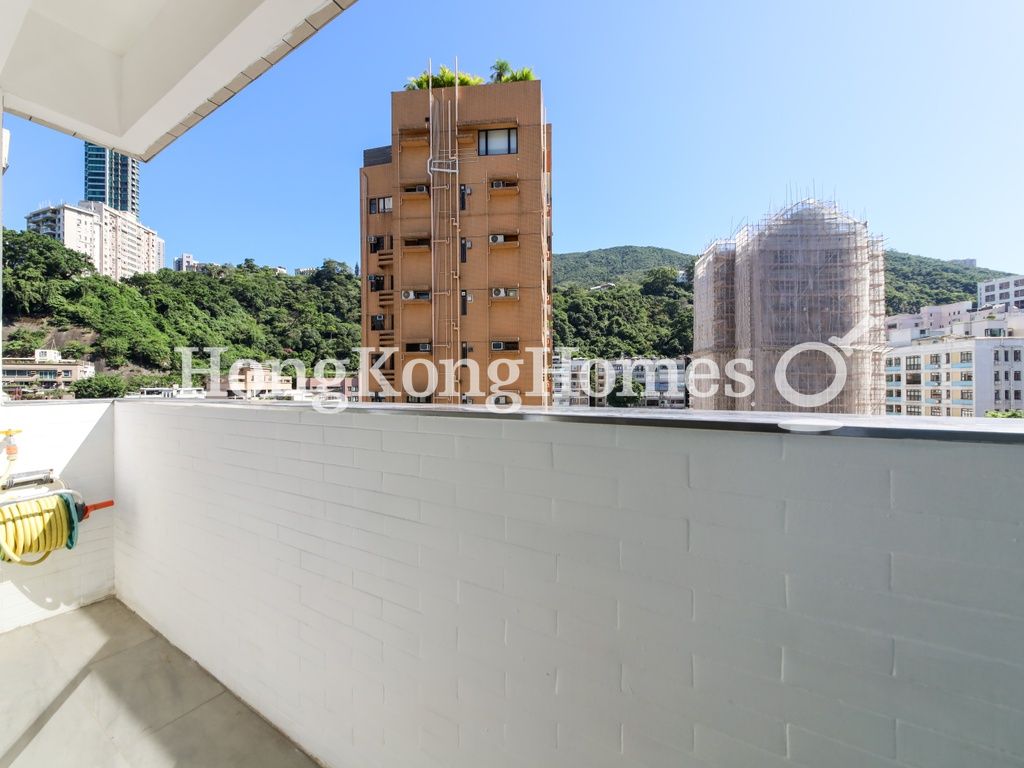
{"type": "Point", "coordinates": [673, 123]}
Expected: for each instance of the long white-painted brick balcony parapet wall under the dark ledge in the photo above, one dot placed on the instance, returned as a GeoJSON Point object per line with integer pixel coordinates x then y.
{"type": "Point", "coordinates": [404, 590]}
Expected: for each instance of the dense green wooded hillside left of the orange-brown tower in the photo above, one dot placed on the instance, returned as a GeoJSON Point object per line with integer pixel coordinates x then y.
{"type": "Point", "coordinates": [139, 322]}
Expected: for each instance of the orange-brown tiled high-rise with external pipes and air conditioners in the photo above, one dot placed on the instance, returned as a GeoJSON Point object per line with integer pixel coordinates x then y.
{"type": "Point", "coordinates": [456, 225]}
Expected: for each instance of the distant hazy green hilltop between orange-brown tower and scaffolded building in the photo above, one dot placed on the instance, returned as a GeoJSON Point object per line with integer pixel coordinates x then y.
{"type": "Point", "coordinates": [589, 269]}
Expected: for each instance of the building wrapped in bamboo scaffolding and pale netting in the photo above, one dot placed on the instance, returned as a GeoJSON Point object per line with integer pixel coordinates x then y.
{"type": "Point", "coordinates": [809, 274]}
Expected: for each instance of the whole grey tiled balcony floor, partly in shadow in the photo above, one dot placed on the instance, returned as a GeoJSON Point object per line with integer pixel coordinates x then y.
{"type": "Point", "coordinates": [100, 688]}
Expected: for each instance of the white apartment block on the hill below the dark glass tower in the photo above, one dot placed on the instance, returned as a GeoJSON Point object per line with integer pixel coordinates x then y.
{"type": "Point", "coordinates": [117, 243]}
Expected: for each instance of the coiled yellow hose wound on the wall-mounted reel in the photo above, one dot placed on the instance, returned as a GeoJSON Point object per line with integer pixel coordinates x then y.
{"type": "Point", "coordinates": [38, 527]}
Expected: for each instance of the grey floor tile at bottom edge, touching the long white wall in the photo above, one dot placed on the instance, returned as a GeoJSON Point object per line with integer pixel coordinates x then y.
{"type": "Point", "coordinates": [222, 733]}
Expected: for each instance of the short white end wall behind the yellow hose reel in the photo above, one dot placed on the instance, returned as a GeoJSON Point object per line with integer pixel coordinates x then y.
{"type": "Point", "coordinates": [77, 441]}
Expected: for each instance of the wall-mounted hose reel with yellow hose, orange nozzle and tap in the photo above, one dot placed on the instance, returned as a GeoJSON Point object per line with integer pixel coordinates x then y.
{"type": "Point", "coordinates": [38, 514]}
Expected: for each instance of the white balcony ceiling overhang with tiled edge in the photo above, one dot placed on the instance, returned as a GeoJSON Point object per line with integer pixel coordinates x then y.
{"type": "Point", "coordinates": [135, 75]}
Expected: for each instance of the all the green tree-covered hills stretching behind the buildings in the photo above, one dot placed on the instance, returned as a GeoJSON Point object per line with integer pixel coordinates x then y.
{"type": "Point", "coordinates": [53, 295]}
